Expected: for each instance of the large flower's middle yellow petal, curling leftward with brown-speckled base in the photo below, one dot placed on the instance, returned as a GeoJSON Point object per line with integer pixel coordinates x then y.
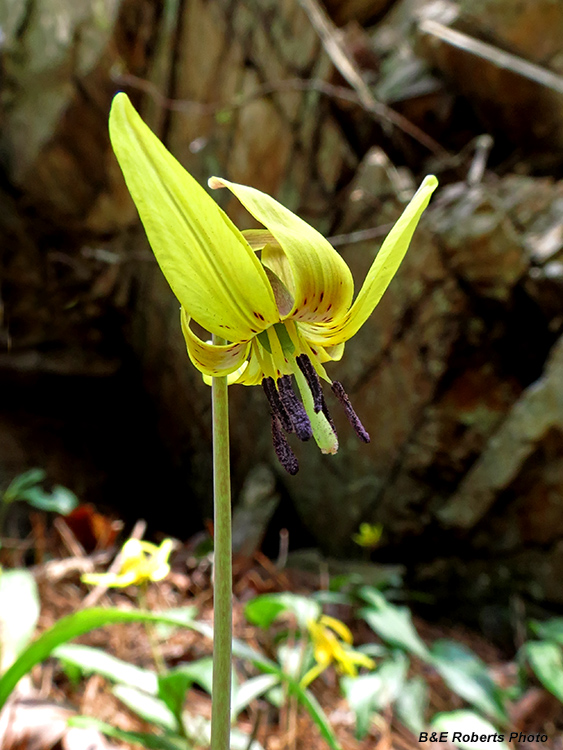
{"type": "Point", "coordinates": [322, 284]}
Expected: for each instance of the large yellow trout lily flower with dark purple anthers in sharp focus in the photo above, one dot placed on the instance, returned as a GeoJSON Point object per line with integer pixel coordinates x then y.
{"type": "Point", "coordinates": [281, 297]}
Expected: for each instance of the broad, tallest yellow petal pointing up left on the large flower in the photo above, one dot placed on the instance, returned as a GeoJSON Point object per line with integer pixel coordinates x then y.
{"type": "Point", "coordinates": [210, 267]}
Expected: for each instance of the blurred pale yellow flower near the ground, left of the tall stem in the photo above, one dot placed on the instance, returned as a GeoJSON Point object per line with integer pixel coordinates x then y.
{"type": "Point", "coordinates": [141, 562]}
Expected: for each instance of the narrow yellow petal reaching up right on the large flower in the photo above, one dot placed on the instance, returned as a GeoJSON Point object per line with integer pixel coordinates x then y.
{"type": "Point", "coordinates": [384, 267]}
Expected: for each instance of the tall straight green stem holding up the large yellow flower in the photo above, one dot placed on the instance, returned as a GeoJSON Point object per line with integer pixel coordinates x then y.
{"type": "Point", "coordinates": [222, 568]}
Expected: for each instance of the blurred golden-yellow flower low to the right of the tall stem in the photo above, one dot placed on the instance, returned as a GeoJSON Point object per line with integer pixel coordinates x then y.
{"type": "Point", "coordinates": [332, 643]}
